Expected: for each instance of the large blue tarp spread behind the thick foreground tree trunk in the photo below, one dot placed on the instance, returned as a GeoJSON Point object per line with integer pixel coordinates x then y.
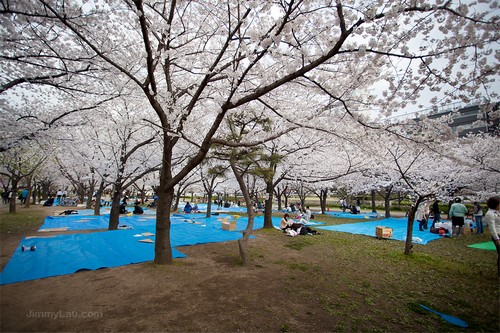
{"type": "Point", "coordinates": [66, 254]}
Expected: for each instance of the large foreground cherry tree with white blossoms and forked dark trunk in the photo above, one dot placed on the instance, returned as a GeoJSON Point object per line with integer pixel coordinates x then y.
{"type": "Point", "coordinates": [197, 62]}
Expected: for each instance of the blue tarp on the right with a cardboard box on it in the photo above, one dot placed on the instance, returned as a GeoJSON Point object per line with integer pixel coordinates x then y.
{"type": "Point", "coordinates": [398, 225]}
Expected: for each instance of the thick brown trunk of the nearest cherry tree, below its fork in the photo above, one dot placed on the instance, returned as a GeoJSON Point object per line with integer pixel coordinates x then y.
{"type": "Point", "coordinates": [163, 248]}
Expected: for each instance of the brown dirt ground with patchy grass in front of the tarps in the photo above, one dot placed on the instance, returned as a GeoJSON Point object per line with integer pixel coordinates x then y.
{"type": "Point", "coordinates": [333, 282]}
